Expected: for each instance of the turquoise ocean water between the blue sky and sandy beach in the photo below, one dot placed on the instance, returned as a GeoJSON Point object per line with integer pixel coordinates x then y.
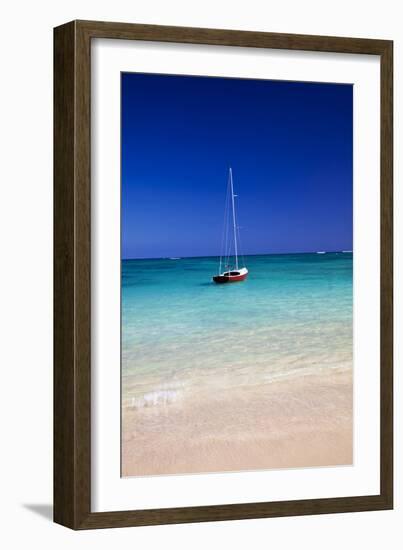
{"type": "Point", "coordinates": [182, 334]}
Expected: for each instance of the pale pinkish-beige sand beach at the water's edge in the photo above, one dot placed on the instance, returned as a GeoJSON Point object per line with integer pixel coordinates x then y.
{"type": "Point", "coordinates": [290, 423]}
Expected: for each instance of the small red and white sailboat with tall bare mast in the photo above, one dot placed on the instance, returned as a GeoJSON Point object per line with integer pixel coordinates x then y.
{"type": "Point", "coordinates": [231, 273]}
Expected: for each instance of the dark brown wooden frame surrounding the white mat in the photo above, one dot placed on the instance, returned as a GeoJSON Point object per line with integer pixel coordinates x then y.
{"type": "Point", "coordinates": [72, 291]}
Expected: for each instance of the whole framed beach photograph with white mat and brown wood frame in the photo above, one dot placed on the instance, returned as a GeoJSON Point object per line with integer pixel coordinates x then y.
{"type": "Point", "coordinates": [222, 275]}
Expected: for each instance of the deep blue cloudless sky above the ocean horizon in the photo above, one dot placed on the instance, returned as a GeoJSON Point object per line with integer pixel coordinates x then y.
{"type": "Point", "coordinates": [289, 145]}
